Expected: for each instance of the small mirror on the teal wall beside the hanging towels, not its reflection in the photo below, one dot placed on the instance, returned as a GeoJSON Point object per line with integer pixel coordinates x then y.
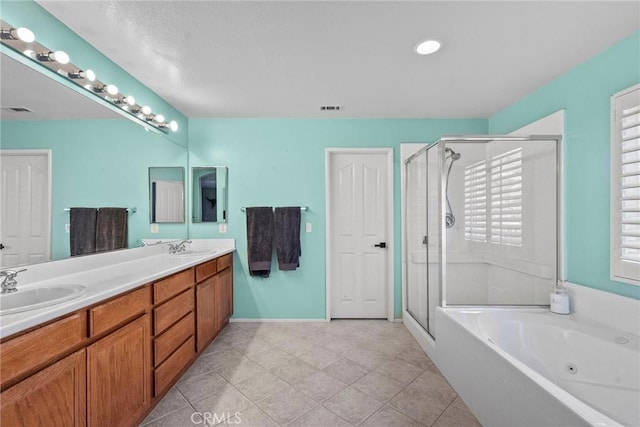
{"type": "Point", "coordinates": [209, 194]}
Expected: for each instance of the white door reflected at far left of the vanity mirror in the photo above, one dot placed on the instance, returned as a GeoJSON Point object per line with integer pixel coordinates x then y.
{"type": "Point", "coordinates": [25, 210]}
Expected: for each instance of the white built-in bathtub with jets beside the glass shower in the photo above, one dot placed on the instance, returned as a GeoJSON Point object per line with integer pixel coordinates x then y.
{"type": "Point", "coordinates": [529, 367]}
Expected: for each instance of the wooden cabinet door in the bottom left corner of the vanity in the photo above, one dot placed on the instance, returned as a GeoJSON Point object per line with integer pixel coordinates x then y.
{"type": "Point", "coordinates": [55, 396]}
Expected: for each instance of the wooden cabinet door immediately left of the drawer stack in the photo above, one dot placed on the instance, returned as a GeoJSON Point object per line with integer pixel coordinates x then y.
{"type": "Point", "coordinates": [119, 375]}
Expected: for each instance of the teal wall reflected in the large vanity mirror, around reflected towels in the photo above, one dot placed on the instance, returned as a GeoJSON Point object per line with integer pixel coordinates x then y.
{"type": "Point", "coordinates": [98, 163]}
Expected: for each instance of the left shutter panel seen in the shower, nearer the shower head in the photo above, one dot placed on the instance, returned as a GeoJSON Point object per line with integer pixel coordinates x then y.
{"type": "Point", "coordinates": [475, 202]}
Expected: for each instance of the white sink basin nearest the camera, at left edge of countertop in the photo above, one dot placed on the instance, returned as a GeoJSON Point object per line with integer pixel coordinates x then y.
{"type": "Point", "coordinates": [31, 299]}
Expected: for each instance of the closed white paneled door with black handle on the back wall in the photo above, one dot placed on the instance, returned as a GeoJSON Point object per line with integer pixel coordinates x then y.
{"type": "Point", "coordinates": [360, 206]}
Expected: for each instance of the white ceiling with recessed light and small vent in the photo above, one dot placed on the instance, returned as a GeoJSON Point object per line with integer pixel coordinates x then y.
{"type": "Point", "coordinates": [287, 58]}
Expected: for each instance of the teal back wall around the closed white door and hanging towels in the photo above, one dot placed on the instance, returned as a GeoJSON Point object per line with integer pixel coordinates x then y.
{"type": "Point", "coordinates": [281, 162]}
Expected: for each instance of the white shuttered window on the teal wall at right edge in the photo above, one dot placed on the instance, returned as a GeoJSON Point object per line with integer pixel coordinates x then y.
{"type": "Point", "coordinates": [625, 181]}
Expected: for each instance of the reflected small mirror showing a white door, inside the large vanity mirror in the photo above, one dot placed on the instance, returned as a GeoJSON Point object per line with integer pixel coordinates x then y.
{"type": "Point", "coordinates": [166, 195]}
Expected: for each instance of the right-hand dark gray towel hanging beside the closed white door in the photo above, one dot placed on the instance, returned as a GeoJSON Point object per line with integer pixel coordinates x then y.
{"type": "Point", "coordinates": [288, 248]}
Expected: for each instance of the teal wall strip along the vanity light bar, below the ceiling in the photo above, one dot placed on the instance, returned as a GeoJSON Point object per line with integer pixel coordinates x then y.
{"type": "Point", "coordinates": [56, 36]}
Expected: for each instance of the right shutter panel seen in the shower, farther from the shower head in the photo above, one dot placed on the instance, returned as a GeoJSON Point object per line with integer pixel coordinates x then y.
{"type": "Point", "coordinates": [506, 198]}
